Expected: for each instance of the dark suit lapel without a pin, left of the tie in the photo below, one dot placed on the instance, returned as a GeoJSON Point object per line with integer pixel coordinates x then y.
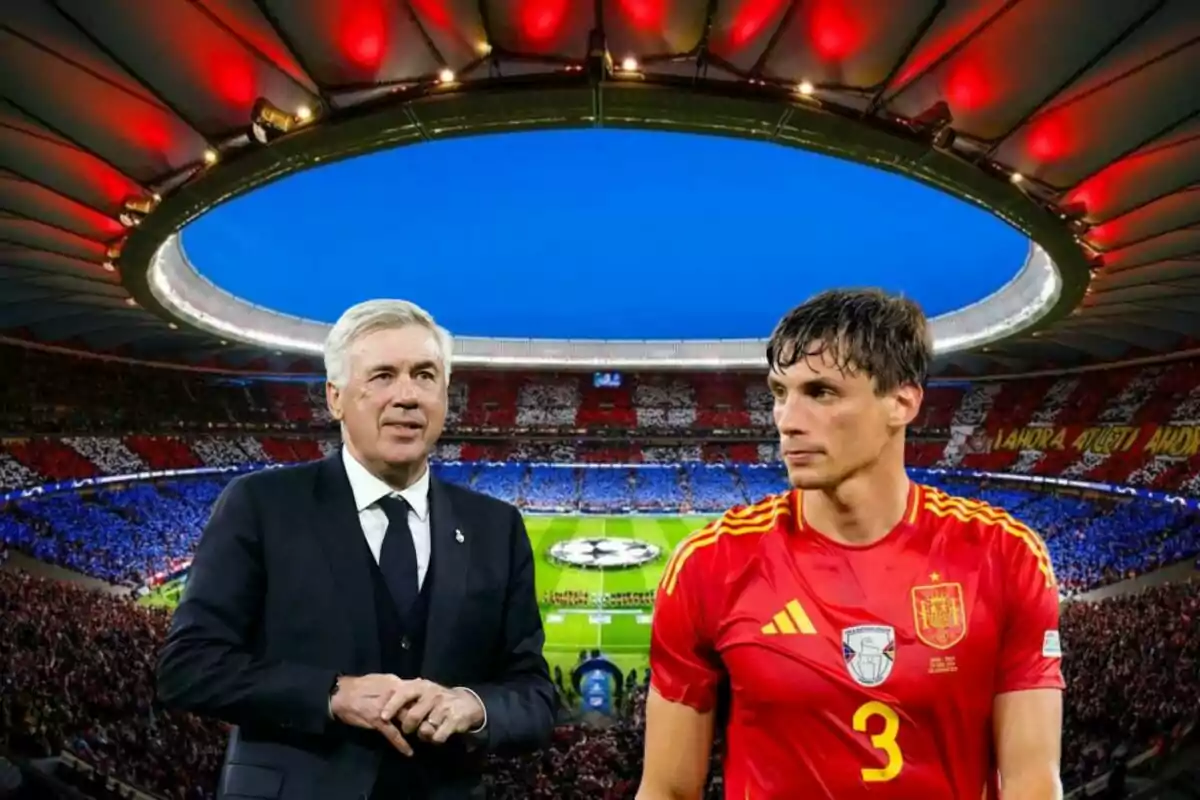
{"type": "Point", "coordinates": [341, 538]}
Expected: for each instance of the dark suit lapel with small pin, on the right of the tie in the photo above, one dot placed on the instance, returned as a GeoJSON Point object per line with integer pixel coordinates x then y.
{"type": "Point", "coordinates": [451, 546]}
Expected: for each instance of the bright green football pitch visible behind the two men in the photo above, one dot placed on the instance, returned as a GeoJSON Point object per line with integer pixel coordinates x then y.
{"type": "Point", "coordinates": [620, 630]}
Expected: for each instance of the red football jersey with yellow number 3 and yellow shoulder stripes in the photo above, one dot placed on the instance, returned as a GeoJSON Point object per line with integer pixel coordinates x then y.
{"type": "Point", "coordinates": [859, 671]}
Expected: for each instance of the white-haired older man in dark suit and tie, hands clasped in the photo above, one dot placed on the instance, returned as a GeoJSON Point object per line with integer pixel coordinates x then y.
{"type": "Point", "coordinates": [369, 630]}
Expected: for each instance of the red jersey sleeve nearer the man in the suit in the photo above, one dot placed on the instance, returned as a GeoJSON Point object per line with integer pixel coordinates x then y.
{"type": "Point", "coordinates": [685, 667]}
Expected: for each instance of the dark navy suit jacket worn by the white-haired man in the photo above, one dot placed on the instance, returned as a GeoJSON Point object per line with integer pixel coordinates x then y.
{"type": "Point", "coordinates": [279, 604]}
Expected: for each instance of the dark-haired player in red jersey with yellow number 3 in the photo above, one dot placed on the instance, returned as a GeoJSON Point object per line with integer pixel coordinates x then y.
{"type": "Point", "coordinates": [878, 639]}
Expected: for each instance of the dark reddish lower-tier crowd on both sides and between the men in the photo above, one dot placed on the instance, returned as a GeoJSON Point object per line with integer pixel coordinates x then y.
{"type": "Point", "coordinates": [76, 676]}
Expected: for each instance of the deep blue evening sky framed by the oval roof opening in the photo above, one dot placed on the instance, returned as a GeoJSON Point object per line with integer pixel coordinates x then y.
{"type": "Point", "coordinates": [599, 234]}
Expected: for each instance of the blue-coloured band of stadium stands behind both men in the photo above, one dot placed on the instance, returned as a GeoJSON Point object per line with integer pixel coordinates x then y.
{"type": "Point", "coordinates": [128, 536]}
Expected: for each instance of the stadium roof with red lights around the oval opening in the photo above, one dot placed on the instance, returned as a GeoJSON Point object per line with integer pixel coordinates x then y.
{"type": "Point", "coordinates": [1076, 121]}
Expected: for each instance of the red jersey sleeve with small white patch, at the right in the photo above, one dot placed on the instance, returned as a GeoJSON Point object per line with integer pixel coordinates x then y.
{"type": "Point", "coordinates": [1030, 649]}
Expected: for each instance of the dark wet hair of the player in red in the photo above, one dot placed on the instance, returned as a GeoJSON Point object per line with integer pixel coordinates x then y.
{"type": "Point", "coordinates": [862, 330]}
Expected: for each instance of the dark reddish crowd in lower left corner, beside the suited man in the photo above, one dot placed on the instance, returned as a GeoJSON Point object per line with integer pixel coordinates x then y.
{"type": "Point", "coordinates": [76, 675]}
